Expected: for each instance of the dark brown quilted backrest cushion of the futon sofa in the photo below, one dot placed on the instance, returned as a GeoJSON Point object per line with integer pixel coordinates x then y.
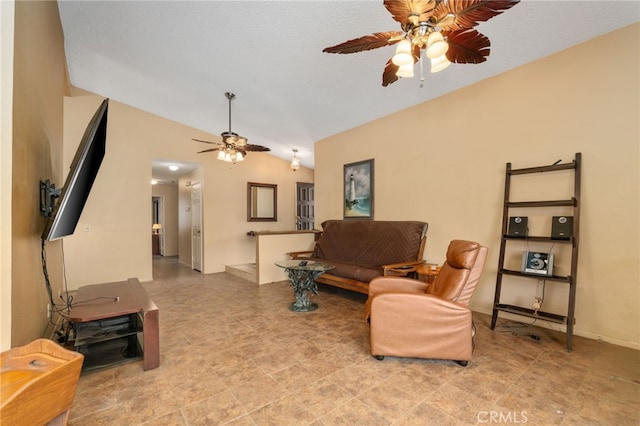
{"type": "Point", "coordinates": [369, 243]}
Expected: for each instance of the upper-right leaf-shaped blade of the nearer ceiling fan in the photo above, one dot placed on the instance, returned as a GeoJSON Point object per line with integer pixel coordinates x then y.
{"type": "Point", "coordinates": [471, 12]}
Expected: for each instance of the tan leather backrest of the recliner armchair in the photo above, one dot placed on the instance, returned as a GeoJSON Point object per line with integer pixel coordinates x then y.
{"type": "Point", "coordinates": [460, 273]}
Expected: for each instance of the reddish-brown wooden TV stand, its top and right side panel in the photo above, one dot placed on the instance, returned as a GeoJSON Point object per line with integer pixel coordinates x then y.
{"type": "Point", "coordinates": [101, 303]}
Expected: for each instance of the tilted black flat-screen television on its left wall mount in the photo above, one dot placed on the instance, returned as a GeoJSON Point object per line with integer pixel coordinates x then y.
{"type": "Point", "coordinates": [63, 216]}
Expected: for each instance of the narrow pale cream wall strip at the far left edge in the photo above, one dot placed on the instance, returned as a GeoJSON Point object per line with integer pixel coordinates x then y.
{"type": "Point", "coordinates": [7, 14]}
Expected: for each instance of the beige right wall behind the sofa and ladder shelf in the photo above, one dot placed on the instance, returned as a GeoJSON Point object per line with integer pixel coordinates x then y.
{"type": "Point", "coordinates": [450, 171]}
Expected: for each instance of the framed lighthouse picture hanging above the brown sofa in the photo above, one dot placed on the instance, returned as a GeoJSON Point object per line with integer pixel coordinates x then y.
{"type": "Point", "coordinates": [358, 190]}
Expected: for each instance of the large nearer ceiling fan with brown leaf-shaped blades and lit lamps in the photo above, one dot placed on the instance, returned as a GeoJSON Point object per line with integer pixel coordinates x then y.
{"type": "Point", "coordinates": [441, 29]}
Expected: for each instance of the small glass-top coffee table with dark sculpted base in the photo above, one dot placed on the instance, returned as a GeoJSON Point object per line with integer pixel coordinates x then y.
{"type": "Point", "coordinates": [302, 276]}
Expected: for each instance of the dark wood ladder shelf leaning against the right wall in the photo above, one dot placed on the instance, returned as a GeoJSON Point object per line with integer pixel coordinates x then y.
{"type": "Point", "coordinates": [567, 318]}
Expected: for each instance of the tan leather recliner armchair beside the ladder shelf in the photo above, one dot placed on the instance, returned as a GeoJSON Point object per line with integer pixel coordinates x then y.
{"type": "Point", "coordinates": [410, 318]}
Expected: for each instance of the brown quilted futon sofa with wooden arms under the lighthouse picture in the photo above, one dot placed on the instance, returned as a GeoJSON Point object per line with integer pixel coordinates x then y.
{"type": "Point", "coordinates": [361, 250]}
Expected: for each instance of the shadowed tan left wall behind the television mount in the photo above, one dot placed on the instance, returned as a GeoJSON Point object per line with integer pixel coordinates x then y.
{"type": "Point", "coordinates": [38, 90]}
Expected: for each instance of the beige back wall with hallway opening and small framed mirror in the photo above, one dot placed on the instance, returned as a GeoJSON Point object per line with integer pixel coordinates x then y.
{"type": "Point", "coordinates": [117, 244]}
